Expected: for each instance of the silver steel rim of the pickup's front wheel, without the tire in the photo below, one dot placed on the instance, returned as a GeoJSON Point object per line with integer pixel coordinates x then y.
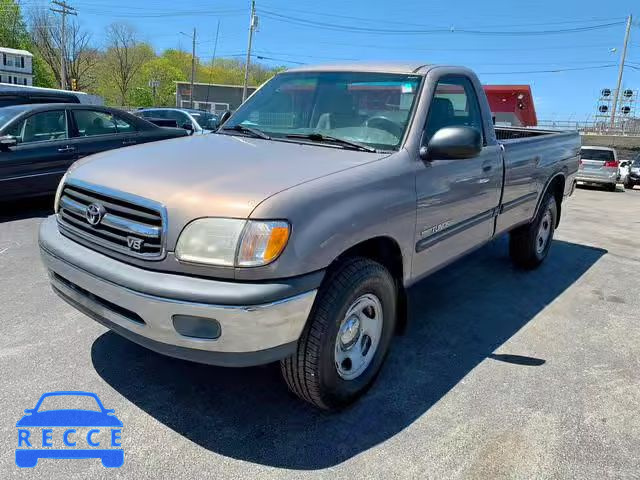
{"type": "Point", "coordinates": [358, 336]}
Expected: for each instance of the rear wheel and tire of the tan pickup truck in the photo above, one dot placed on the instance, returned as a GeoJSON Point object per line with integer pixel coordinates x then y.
{"type": "Point", "coordinates": [529, 244]}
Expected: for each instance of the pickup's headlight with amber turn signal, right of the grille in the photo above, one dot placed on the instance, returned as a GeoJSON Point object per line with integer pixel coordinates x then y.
{"type": "Point", "coordinates": [232, 242]}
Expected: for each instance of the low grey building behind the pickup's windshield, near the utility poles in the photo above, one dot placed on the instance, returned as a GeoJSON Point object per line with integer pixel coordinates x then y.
{"type": "Point", "coordinates": [212, 97]}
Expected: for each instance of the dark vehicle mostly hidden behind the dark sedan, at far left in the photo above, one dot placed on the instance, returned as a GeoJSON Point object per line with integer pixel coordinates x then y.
{"type": "Point", "coordinates": [21, 95]}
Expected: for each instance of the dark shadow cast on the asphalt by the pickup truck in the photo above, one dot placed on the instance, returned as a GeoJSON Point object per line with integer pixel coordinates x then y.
{"type": "Point", "coordinates": [459, 317]}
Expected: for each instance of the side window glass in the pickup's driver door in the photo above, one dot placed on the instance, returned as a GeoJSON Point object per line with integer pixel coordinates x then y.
{"type": "Point", "coordinates": [454, 104]}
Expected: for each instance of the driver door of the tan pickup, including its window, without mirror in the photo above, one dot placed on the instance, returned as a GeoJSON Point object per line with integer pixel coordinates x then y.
{"type": "Point", "coordinates": [457, 199]}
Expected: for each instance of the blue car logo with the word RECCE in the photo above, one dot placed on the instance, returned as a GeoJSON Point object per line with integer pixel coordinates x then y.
{"type": "Point", "coordinates": [64, 428]}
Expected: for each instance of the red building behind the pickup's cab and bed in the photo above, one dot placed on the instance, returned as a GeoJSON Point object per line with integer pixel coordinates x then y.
{"type": "Point", "coordinates": [512, 105]}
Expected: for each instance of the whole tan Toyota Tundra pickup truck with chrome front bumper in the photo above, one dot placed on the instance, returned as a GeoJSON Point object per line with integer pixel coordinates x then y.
{"type": "Point", "coordinates": [294, 233]}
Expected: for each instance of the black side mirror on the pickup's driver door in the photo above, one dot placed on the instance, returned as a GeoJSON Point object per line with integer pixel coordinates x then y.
{"type": "Point", "coordinates": [453, 143]}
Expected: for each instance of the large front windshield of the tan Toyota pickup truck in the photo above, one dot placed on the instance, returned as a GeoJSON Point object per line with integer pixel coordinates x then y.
{"type": "Point", "coordinates": [372, 109]}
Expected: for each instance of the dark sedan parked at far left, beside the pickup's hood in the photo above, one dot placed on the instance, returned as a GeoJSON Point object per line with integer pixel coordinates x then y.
{"type": "Point", "coordinates": [39, 142]}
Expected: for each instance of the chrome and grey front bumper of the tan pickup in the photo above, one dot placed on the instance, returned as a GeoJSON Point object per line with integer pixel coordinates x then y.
{"type": "Point", "coordinates": [143, 305]}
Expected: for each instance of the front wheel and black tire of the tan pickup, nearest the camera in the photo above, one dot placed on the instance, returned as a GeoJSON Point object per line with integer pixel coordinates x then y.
{"type": "Point", "coordinates": [347, 336]}
